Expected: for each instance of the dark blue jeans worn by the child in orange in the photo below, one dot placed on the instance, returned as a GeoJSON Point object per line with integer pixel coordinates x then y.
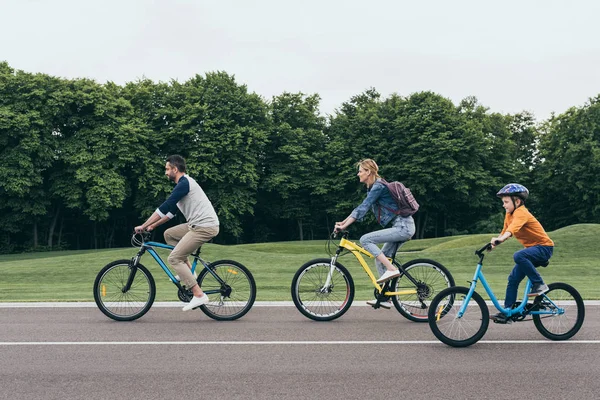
{"type": "Point", "coordinates": [525, 260]}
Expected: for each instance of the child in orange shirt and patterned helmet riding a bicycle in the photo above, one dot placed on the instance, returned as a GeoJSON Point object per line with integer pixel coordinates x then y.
{"type": "Point", "coordinates": [521, 224]}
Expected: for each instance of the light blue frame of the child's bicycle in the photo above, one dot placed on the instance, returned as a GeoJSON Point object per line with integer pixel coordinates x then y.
{"type": "Point", "coordinates": [478, 276]}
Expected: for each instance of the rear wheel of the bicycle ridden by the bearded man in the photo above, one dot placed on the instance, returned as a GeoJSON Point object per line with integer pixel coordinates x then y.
{"type": "Point", "coordinates": [232, 299]}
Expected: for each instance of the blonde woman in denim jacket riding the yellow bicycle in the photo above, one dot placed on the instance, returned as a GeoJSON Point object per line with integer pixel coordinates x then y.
{"type": "Point", "coordinates": [380, 201]}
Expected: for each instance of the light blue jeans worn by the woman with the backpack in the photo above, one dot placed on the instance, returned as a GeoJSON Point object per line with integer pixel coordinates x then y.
{"type": "Point", "coordinates": [402, 229]}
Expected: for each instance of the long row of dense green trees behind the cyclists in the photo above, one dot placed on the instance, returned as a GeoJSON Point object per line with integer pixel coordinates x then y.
{"type": "Point", "coordinates": [83, 162]}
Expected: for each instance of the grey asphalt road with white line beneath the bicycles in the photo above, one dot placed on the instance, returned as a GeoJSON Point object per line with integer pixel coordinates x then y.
{"type": "Point", "coordinates": [276, 353]}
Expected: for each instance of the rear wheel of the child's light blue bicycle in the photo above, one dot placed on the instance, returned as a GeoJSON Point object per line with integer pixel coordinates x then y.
{"type": "Point", "coordinates": [559, 326]}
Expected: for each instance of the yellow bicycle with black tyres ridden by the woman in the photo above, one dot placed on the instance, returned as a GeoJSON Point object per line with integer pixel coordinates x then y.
{"type": "Point", "coordinates": [323, 289]}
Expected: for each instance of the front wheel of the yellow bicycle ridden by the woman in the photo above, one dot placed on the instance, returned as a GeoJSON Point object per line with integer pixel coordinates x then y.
{"type": "Point", "coordinates": [317, 301]}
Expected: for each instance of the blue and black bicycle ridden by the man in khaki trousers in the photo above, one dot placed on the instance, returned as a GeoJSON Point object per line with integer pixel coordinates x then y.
{"type": "Point", "coordinates": [124, 290]}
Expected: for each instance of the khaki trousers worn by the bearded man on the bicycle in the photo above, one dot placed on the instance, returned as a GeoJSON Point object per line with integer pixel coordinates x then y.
{"type": "Point", "coordinates": [186, 240]}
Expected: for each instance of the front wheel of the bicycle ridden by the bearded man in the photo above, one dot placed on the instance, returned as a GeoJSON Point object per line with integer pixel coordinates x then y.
{"type": "Point", "coordinates": [119, 305]}
